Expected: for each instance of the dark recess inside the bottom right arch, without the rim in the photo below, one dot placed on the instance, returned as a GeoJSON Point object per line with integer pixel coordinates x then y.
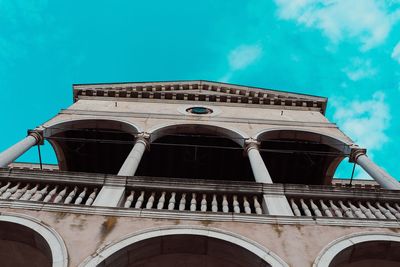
{"type": "Point", "coordinates": [369, 254]}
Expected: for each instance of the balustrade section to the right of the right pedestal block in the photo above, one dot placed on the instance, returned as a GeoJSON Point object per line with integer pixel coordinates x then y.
{"type": "Point", "coordinates": [336, 202]}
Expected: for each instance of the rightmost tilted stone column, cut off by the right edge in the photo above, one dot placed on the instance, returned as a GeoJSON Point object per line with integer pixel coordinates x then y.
{"type": "Point", "coordinates": [379, 175]}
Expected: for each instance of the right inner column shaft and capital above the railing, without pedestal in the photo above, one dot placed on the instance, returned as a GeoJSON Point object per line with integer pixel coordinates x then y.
{"type": "Point", "coordinates": [258, 167]}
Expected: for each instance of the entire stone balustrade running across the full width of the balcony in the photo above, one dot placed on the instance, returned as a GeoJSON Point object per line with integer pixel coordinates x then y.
{"type": "Point", "coordinates": [148, 194]}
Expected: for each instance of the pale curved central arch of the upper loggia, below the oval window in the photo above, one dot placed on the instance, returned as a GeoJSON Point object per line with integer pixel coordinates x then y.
{"type": "Point", "coordinates": [233, 134]}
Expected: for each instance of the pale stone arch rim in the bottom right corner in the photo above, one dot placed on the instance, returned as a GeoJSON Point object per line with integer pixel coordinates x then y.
{"type": "Point", "coordinates": [336, 248]}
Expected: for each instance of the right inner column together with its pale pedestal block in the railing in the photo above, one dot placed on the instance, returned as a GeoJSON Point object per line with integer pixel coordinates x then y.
{"type": "Point", "coordinates": [274, 201]}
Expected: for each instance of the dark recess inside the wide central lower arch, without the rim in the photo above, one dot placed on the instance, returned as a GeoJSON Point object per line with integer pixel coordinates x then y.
{"type": "Point", "coordinates": [182, 251]}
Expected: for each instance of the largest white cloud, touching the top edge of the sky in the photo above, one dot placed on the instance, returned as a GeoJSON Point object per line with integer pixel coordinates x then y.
{"type": "Point", "coordinates": [369, 21]}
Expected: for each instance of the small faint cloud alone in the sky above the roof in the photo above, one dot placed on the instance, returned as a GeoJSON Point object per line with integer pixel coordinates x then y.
{"type": "Point", "coordinates": [243, 56]}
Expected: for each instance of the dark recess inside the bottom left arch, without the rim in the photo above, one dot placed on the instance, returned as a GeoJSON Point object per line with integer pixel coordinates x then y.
{"type": "Point", "coordinates": [21, 246]}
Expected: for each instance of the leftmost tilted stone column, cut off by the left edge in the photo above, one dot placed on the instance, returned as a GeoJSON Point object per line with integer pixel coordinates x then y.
{"type": "Point", "coordinates": [8, 156]}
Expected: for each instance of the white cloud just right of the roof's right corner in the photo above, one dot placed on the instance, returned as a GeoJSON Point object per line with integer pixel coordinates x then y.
{"type": "Point", "coordinates": [365, 122]}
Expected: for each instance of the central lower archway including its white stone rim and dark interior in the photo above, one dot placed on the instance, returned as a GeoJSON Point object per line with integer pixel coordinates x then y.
{"type": "Point", "coordinates": [181, 247]}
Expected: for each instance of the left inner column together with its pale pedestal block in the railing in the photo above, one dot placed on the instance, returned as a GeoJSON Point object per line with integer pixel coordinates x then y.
{"type": "Point", "coordinates": [113, 195]}
